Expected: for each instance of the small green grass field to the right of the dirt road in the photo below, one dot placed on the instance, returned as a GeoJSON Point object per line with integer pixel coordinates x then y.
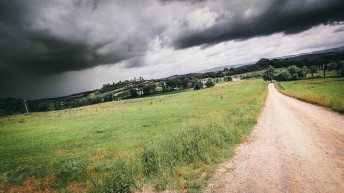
{"type": "Point", "coordinates": [328, 92]}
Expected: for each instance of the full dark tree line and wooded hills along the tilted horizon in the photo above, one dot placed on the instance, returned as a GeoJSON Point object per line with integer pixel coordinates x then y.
{"type": "Point", "coordinates": [277, 69]}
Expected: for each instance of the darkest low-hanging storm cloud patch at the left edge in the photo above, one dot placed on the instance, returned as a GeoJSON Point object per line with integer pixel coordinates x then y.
{"type": "Point", "coordinates": [44, 54]}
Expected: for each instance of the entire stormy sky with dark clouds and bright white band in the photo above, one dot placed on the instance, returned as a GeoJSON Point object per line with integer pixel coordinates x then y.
{"type": "Point", "coordinates": [59, 47]}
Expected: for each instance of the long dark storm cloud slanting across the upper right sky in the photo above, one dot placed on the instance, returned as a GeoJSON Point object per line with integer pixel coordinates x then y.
{"type": "Point", "coordinates": [287, 16]}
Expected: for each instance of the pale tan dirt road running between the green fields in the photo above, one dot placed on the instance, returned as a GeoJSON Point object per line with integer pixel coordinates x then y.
{"type": "Point", "coordinates": [295, 147]}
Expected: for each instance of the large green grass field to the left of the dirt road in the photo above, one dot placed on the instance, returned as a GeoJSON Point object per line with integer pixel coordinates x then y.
{"type": "Point", "coordinates": [171, 141]}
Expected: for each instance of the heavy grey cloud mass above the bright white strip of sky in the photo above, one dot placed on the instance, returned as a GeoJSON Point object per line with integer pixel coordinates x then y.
{"type": "Point", "coordinates": [49, 37]}
